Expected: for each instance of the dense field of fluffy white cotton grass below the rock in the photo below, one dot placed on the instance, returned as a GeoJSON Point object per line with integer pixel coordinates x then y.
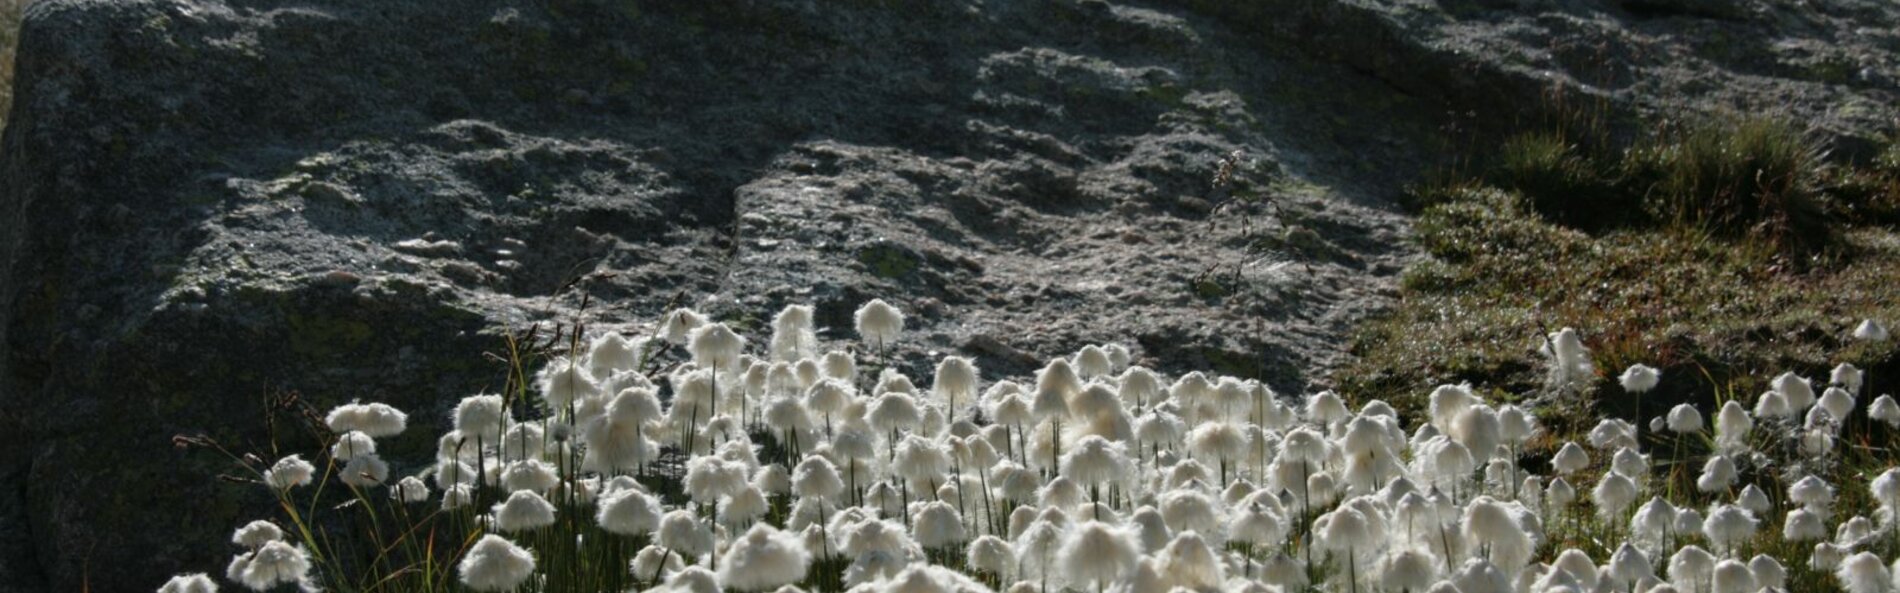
{"type": "Point", "coordinates": [696, 459]}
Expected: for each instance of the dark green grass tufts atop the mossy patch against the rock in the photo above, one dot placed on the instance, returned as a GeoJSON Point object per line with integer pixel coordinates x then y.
{"type": "Point", "coordinates": [1738, 178]}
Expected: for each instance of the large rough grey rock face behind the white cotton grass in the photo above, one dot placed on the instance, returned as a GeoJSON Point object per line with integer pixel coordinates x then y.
{"type": "Point", "coordinates": [208, 202]}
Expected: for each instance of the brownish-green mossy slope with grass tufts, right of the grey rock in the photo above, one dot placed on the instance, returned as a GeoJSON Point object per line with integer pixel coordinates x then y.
{"type": "Point", "coordinates": [1720, 254]}
